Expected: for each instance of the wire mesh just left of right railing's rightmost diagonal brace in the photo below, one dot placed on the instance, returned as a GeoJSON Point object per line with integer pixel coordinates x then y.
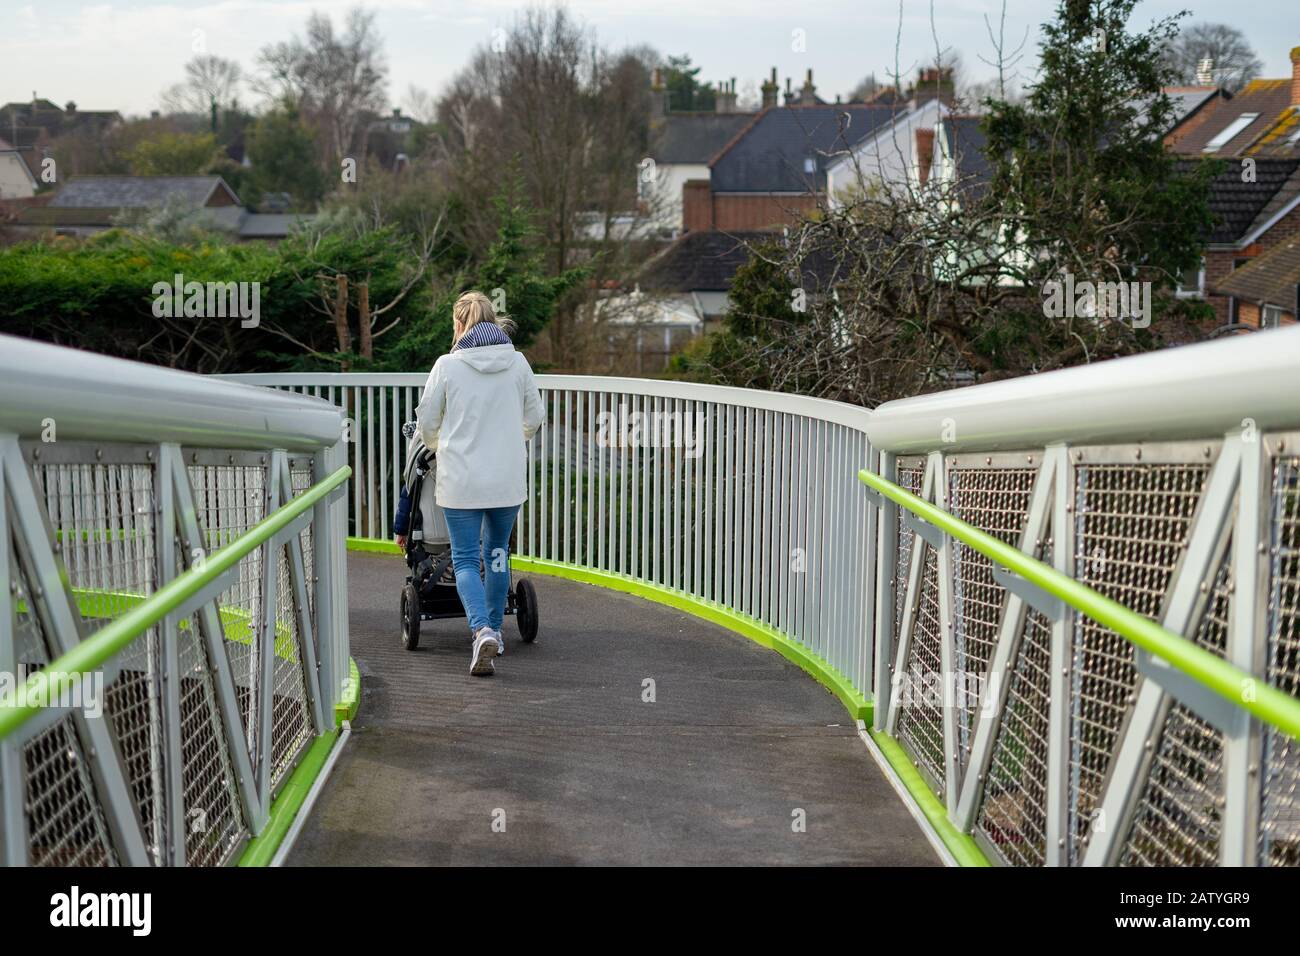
{"type": "Point", "coordinates": [1132, 525]}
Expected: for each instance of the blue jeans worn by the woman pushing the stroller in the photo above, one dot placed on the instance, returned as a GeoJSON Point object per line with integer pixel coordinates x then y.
{"type": "Point", "coordinates": [482, 534]}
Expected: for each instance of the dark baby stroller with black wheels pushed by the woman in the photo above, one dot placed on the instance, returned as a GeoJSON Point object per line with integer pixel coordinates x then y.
{"type": "Point", "coordinates": [431, 589]}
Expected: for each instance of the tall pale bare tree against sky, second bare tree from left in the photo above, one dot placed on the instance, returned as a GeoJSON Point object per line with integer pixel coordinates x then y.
{"type": "Point", "coordinates": [333, 79]}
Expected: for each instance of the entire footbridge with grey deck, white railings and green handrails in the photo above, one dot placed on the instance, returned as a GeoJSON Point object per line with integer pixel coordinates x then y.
{"type": "Point", "coordinates": [1043, 622]}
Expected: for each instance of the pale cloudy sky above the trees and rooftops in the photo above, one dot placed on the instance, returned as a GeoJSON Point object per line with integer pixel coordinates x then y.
{"type": "Point", "coordinates": [122, 55]}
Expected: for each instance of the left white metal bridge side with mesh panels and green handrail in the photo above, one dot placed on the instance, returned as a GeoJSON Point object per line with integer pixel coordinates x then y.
{"type": "Point", "coordinates": [127, 494]}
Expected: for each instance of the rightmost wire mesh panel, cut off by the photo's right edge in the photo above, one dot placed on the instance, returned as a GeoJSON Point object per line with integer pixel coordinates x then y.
{"type": "Point", "coordinates": [1280, 823]}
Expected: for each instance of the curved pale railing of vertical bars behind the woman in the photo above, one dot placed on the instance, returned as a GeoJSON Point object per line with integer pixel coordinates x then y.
{"type": "Point", "coordinates": [747, 500]}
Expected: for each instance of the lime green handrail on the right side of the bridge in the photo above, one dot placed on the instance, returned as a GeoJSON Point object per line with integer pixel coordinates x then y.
{"type": "Point", "coordinates": [1230, 682]}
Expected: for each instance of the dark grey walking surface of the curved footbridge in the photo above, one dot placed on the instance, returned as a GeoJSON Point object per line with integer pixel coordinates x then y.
{"type": "Point", "coordinates": [584, 771]}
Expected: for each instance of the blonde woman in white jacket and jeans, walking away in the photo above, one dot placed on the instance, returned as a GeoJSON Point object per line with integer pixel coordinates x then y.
{"type": "Point", "coordinates": [479, 408]}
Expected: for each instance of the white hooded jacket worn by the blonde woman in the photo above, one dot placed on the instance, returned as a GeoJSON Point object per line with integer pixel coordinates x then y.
{"type": "Point", "coordinates": [479, 408]}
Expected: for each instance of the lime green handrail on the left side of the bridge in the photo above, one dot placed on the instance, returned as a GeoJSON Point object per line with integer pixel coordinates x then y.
{"type": "Point", "coordinates": [62, 674]}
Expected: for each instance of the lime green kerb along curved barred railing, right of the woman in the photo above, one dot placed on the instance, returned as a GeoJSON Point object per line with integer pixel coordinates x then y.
{"type": "Point", "coordinates": [816, 667]}
